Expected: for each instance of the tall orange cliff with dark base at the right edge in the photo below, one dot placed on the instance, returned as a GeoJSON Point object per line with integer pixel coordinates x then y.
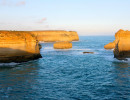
{"type": "Point", "coordinates": [122, 44]}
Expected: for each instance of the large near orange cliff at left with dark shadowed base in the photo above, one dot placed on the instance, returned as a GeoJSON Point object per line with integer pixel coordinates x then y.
{"type": "Point", "coordinates": [18, 46]}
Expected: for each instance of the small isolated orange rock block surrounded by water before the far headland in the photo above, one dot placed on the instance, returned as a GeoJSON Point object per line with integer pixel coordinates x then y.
{"type": "Point", "coordinates": [62, 45]}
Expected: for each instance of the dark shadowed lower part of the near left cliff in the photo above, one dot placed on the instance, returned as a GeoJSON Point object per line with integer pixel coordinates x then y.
{"type": "Point", "coordinates": [8, 55]}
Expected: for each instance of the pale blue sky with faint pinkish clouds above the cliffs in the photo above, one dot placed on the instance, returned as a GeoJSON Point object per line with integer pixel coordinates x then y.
{"type": "Point", "coordinates": [87, 17]}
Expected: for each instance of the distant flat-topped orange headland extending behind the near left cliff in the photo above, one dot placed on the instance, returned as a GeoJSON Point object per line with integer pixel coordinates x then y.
{"type": "Point", "coordinates": [53, 36]}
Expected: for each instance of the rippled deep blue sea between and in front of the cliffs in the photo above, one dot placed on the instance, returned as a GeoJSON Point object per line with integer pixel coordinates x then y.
{"type": "Point", "coordinates": [68, 74]}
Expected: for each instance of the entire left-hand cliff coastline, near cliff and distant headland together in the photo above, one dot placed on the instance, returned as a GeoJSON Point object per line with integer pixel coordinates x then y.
{"type": "Point", "coordinates": [22, 46]}
